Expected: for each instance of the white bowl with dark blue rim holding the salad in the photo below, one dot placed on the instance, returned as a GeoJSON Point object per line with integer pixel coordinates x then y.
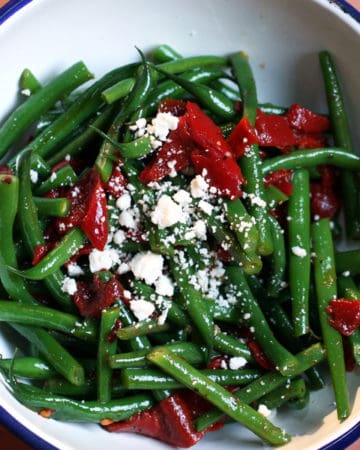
{"type": "Point", "coordinates": [282, 38]}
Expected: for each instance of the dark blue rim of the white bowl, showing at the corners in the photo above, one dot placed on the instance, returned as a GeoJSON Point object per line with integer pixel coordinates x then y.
{"type": "Point", "coordinates": [32, 439]}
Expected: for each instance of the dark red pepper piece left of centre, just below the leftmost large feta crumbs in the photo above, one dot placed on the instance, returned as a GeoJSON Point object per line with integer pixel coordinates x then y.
{"type": "Point", "coordinates": [92, 297]}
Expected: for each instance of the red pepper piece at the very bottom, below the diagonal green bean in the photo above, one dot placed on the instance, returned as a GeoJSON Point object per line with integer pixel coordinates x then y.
{"type": "Point", "coordinates": [169, 421]}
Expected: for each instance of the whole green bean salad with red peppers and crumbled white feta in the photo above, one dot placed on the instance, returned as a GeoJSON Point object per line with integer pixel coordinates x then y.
{"type": "Point", "coordinates": [169, 249]}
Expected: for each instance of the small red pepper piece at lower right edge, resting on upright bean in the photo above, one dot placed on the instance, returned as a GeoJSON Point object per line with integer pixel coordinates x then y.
{"type": "Point", "coordinates": [344, 315]}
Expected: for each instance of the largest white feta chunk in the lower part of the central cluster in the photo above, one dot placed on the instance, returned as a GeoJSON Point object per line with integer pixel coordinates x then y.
{"type": "Point", "coordinates": [147, 266]}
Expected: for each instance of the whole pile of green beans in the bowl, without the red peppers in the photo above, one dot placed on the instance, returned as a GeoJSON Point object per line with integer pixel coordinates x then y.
{"type": "Point", "coordinates": [266, 324]}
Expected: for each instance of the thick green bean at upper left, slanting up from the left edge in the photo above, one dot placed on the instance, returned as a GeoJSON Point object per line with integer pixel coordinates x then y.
{"type": "Point", "coordinates": [39, 102]}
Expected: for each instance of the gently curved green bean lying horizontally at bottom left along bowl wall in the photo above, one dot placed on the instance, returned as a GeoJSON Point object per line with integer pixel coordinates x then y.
{"type": "Point", "coordinates": [65, 409]}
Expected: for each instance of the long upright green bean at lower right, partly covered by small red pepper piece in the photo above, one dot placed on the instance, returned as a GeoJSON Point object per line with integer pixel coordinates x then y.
{"type": "Point", "coordinates": [326, 289]}
